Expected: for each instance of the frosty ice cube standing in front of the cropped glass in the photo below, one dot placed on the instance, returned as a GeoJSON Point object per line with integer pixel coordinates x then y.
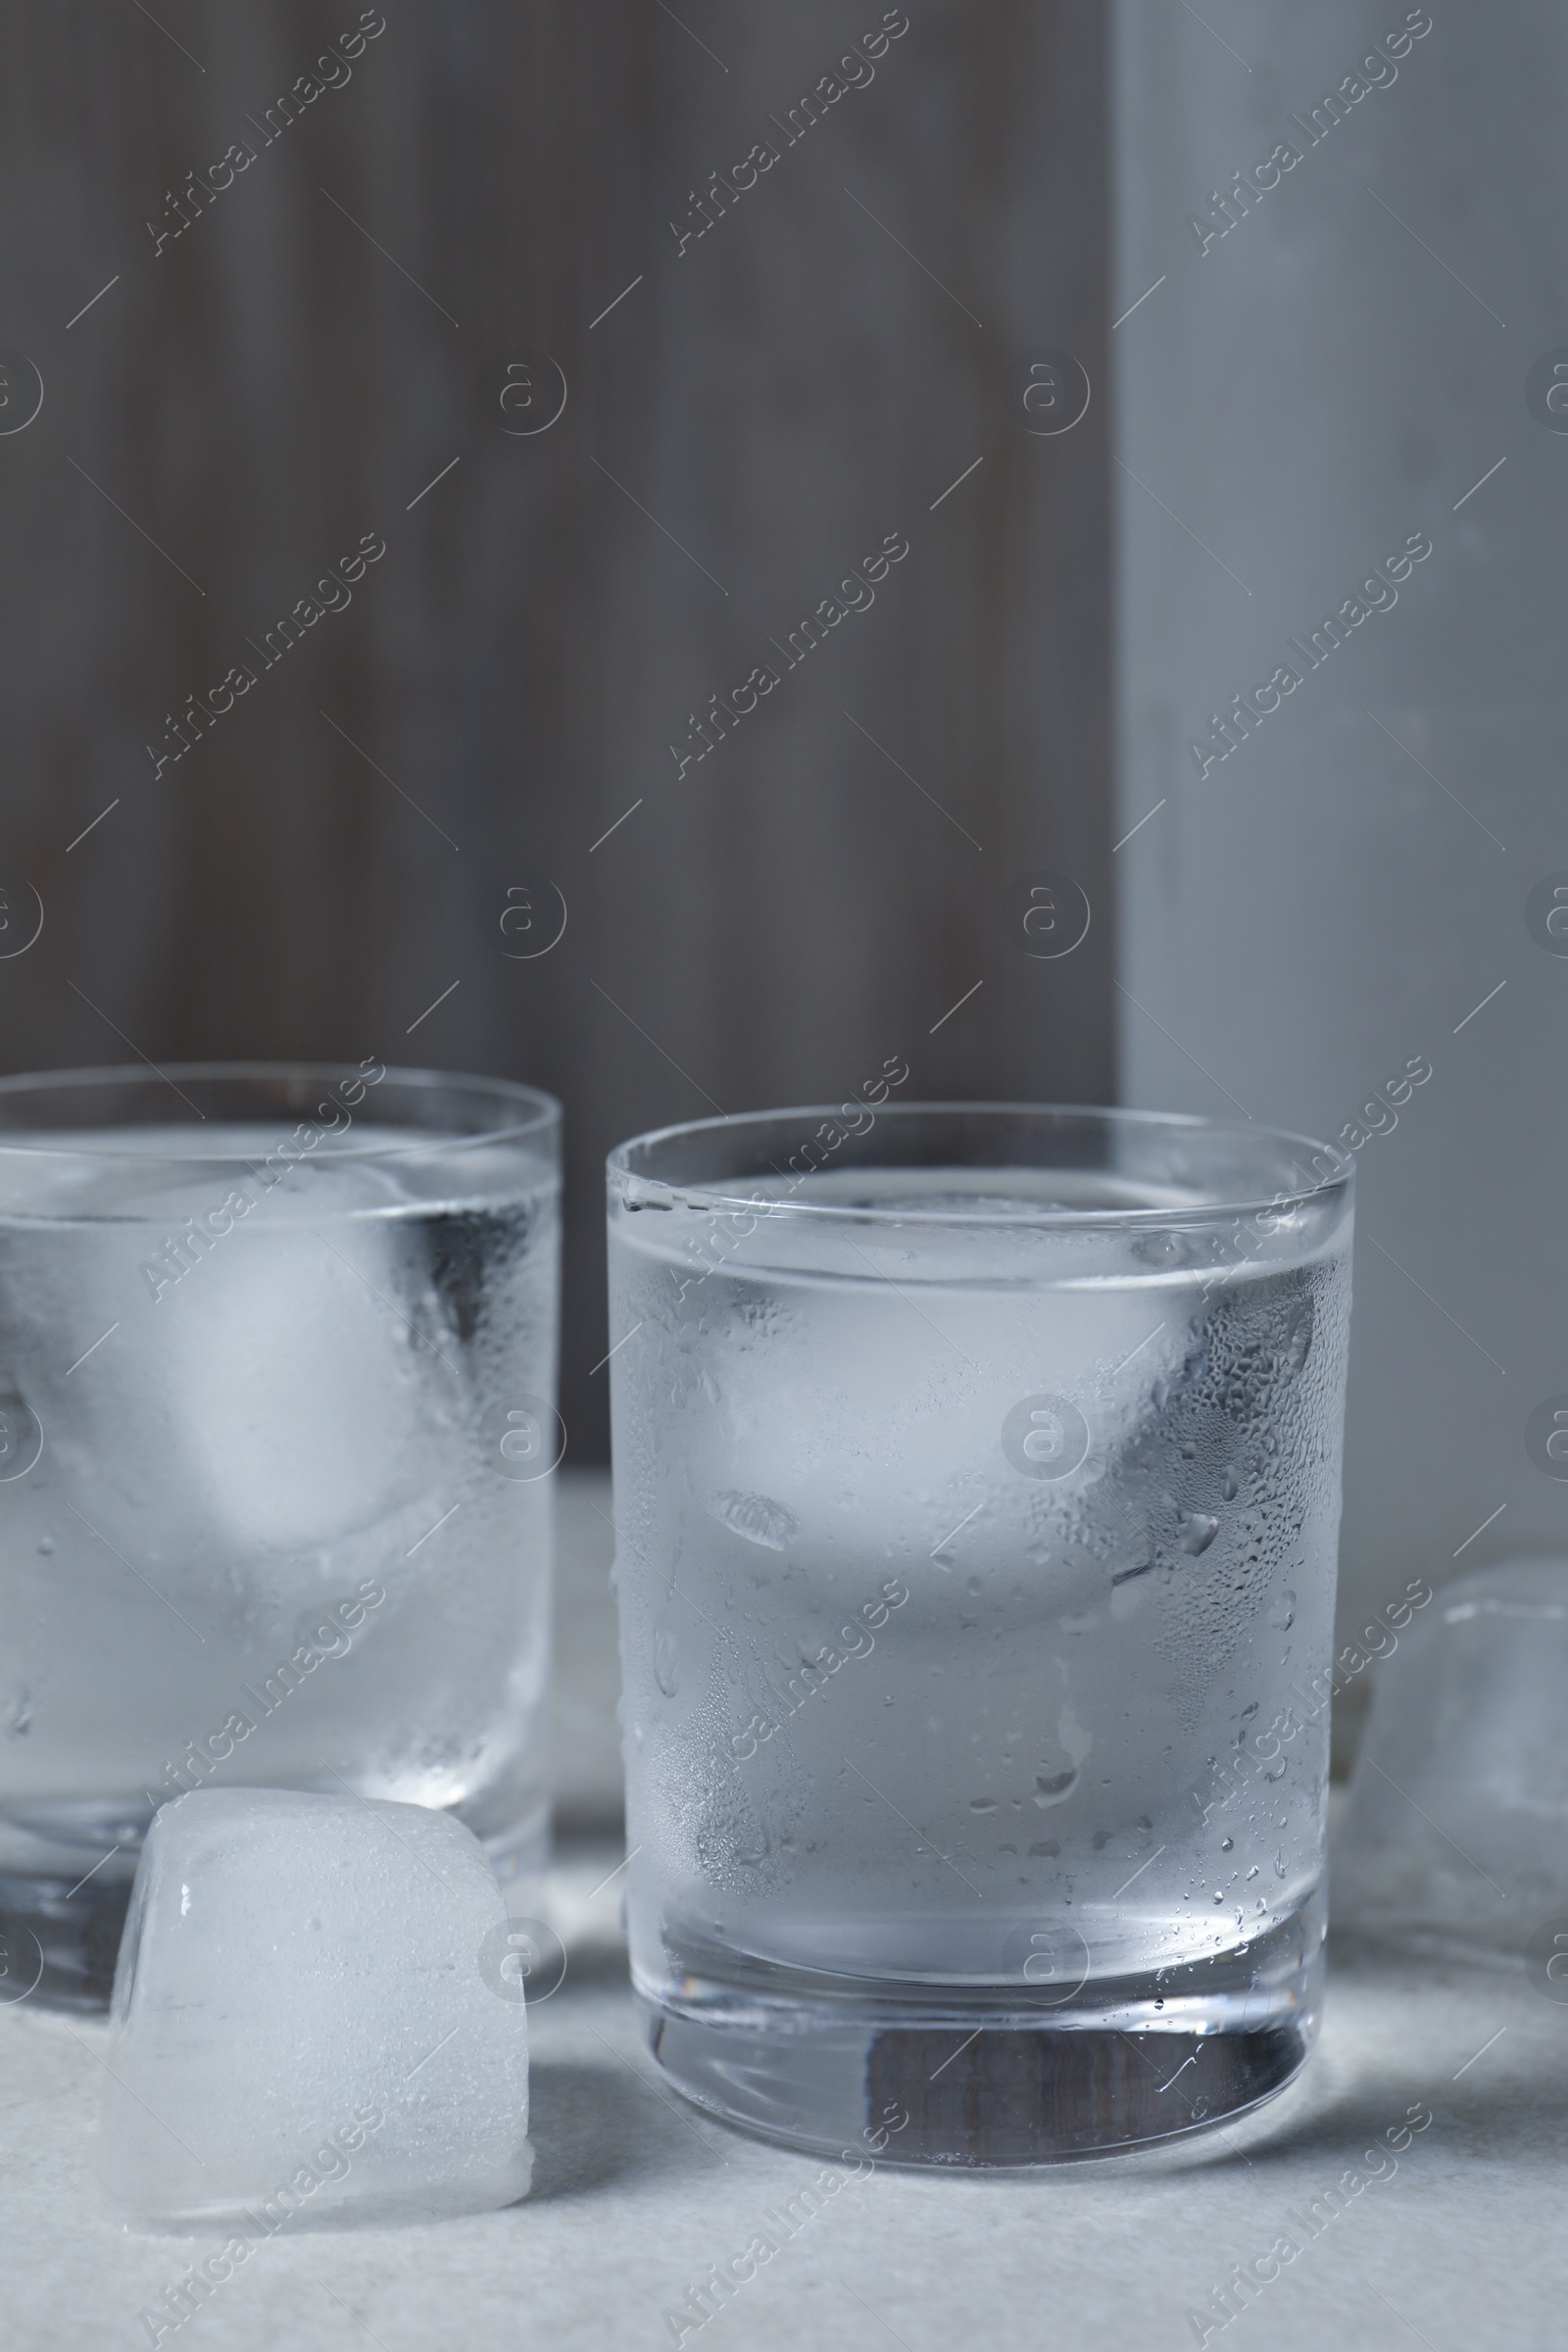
{"type": "Point", "coordinates": [314, 2022]}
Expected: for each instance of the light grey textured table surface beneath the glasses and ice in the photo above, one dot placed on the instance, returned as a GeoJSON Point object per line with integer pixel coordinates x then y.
{"type": "Point", "coordinates": [636, 2198]}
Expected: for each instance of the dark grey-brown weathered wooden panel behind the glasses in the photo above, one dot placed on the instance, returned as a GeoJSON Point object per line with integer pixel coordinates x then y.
{"type": "Point", "coordinates": [753, 417]}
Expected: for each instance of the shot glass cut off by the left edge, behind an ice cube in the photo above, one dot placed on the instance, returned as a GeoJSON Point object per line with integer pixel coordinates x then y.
{"type": "Point", "coordinates": [276, 1429]}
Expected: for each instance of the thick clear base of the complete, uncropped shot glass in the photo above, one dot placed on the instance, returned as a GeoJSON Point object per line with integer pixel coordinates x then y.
{"type": "Point", "coordinates": [984, 2078]}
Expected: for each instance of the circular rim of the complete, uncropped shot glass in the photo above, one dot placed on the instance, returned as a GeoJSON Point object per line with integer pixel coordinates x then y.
{"type": "Point", "coordinates": [721, 1201]}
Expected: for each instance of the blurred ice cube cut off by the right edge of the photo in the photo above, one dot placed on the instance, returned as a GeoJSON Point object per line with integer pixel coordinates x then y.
{"type": "Point", "coordinates": [1459, 1810]}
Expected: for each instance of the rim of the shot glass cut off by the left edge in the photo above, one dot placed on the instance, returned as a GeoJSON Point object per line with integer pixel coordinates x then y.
{"type": "Point", "coordinates": [542, 1121]}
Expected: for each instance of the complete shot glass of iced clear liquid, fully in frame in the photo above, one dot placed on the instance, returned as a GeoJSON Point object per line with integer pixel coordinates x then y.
{"type": "Point", "coordinates": [977, 1511]}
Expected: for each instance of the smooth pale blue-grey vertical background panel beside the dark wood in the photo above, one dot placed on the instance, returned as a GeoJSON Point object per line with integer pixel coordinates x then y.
{"type": "Point", "coordinates": [1341, 267]}
